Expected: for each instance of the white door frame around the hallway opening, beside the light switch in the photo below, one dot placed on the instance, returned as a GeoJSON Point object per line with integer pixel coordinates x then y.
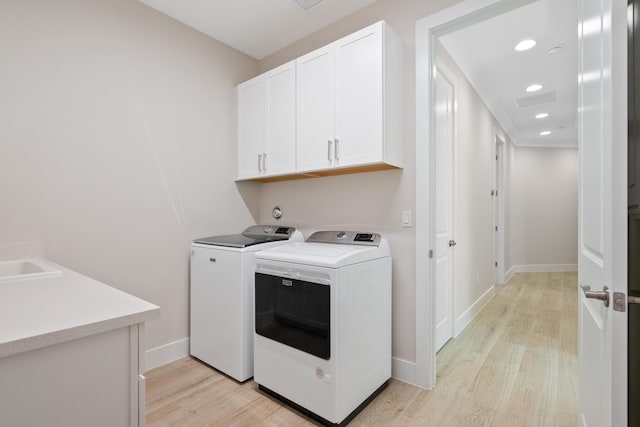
{"type": "Point", "coordinates": [428, 30]}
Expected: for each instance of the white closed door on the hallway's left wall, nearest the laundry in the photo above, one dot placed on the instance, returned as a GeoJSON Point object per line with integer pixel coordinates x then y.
{"type": "Point", "coordinates": [443, 257]}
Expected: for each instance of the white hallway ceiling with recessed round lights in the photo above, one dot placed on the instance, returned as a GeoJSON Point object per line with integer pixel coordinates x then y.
{"type": "Point", "coordinates": [485, 52]}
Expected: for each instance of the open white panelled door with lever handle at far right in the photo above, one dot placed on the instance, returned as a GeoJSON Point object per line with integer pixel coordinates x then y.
{"type": "Point", "coordinates": [602, 210]}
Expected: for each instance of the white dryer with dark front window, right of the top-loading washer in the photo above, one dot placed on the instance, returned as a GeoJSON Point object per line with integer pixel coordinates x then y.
{"type": "Point", "coordinates": [323, 323]}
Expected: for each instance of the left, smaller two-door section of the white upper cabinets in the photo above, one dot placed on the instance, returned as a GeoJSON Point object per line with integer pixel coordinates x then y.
{"type": "Point", "coordinates": [266, 124]}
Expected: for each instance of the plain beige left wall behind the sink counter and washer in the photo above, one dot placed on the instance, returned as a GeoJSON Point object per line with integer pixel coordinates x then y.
{"type": "Point", "coordinates": [117, 144]}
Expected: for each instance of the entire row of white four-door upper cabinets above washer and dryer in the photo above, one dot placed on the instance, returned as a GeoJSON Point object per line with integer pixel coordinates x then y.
{"type": "Point", "coordinates": [335, 110]}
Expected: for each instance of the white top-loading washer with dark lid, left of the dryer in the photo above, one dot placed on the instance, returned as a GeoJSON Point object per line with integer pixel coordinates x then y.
{"type": "Point", "coordinates": [221, 317]}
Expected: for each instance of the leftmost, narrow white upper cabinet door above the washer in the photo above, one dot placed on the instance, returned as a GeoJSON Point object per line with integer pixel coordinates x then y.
{"type": "Point", "coordinates": [251, 127]}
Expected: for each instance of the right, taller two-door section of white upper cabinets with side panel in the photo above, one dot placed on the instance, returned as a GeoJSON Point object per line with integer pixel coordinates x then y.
{"type": "Point", "coordinates": [349, 102]}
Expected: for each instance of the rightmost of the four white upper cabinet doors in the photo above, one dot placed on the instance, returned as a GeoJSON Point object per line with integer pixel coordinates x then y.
{"type": "Point", "coordinates": [359, 97]}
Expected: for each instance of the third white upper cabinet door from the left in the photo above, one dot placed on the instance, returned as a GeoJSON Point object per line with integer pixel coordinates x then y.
{"type": "Point", "coordinates": [315, 109]}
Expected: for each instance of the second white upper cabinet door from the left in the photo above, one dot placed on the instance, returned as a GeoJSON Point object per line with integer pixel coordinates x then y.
{"type": "Point", "coordinates": [280, 86]}
